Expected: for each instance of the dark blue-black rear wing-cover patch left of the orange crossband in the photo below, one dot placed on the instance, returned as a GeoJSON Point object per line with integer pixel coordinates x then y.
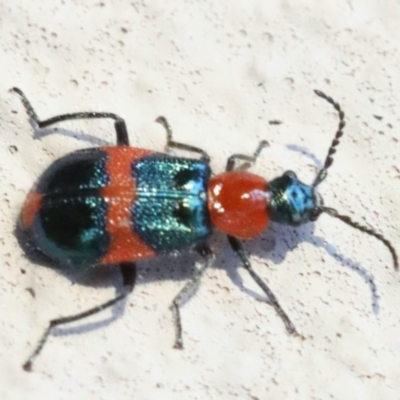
{"type": "Point", "coordinates": [70, 225]}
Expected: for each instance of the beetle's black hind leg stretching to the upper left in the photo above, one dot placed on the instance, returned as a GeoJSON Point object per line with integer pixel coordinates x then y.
{"type": "Point", "coordinates": [120, 125]}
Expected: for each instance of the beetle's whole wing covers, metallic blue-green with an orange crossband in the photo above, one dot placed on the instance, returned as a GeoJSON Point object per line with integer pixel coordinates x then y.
{"type": "Point", "coordinates": [167, 199]}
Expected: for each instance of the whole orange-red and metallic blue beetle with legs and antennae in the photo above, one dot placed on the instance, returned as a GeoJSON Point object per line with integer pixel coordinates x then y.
{"type": "Point", "coordinates": [120, 204]}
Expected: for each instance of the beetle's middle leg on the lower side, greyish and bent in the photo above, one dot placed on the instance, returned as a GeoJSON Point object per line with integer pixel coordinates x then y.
{"type": "Point", "coordinates": [187, 290]}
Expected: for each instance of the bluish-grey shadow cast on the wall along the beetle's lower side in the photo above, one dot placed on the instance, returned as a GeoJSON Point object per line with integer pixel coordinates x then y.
{"type": "Point", "coordinates": [172, 268]}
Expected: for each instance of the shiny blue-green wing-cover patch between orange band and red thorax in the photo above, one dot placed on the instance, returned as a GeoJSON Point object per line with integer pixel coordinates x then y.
{"type": "Point", "coordinates": [170, 212]}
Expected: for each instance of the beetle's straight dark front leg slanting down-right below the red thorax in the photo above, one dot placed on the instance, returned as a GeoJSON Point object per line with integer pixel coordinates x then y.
{"type": "Point", "coordinates": [238, 248]}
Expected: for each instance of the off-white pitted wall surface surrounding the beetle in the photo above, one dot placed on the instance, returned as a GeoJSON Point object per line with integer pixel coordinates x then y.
{"type": "Point", "coordinates": [220, 71]}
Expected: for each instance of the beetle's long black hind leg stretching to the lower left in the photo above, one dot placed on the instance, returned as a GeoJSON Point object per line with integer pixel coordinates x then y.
{"type": "Point", "coordinates": [128, 271]}
